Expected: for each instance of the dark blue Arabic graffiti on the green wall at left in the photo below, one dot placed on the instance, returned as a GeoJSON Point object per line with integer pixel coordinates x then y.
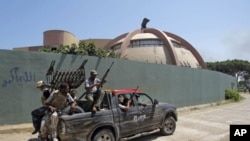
{"type": "Point", "coordinates": [16, 76]}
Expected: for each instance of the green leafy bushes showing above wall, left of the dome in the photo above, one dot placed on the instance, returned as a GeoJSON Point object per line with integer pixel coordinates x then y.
{"type": "Point", "coordinates": [81, 49]}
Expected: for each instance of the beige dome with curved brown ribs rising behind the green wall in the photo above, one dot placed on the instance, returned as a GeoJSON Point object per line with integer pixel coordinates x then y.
{"type": "Point", "coordinates": [156, 46]}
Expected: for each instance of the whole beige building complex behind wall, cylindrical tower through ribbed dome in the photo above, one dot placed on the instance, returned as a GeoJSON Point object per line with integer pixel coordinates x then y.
{"type": "Point", "coordinates": [146, 45]}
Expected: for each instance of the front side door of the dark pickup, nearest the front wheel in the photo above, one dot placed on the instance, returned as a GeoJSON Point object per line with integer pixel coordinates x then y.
{"type": "Point", "coordinates": [150, 116]}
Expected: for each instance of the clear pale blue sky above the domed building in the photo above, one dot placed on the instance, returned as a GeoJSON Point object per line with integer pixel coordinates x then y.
{"type": "Point", "coordinates": [218, 29]}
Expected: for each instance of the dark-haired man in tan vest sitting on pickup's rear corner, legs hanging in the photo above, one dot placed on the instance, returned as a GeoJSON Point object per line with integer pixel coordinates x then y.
{"type": "Point", "coordinates": [56, 103]}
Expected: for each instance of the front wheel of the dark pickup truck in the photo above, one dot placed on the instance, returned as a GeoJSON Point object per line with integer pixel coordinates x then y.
{"type": "Point", "coordinates": [168, 126]}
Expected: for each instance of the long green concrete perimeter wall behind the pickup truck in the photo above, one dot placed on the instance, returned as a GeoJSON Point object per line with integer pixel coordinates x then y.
{"type": "Point", "coordinates": [20, 70]}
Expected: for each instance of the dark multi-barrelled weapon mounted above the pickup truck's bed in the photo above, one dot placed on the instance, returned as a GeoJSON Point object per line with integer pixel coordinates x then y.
{"type": "Point", "coordinates": [74, 78]}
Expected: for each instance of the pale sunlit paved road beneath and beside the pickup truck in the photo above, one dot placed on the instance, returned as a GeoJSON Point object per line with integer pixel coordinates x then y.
{"type": "Point", "coordinates": [205, 124]}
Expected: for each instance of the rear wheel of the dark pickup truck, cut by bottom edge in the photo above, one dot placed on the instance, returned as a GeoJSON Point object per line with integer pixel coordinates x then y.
{"type": "Point", "coordinates": [104, 135]}
